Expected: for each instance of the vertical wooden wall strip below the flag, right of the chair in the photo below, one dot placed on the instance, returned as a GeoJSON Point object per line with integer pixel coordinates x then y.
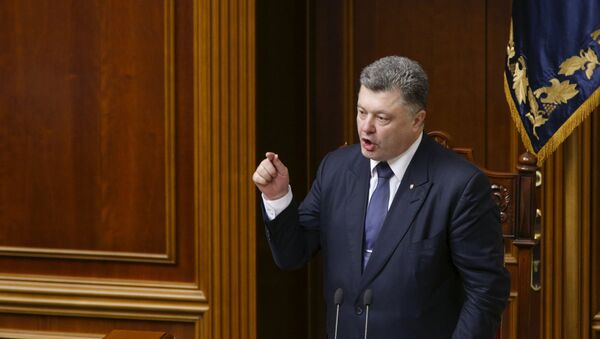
{"type": "Point", "coordinates": [567, 232]}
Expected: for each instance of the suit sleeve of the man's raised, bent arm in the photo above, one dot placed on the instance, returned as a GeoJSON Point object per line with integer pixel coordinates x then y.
{"type": "Point", "coordinates": [294, 235]}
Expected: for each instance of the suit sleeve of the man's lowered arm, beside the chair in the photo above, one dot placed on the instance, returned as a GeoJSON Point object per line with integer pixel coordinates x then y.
{"type": "Point", "coordinates": [478, 253]}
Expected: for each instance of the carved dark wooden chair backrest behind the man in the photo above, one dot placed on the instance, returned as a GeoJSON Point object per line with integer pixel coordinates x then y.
{"type": "Point", "coordinates": [514, 193]}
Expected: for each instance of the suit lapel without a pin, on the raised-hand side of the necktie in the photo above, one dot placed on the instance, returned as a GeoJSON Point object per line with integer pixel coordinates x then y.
{"type": "Point", "coordinates": [356, 206]}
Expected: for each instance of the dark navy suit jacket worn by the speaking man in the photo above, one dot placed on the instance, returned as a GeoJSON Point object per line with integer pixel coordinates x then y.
{"type": "Point", "coordinates": [436, 270]}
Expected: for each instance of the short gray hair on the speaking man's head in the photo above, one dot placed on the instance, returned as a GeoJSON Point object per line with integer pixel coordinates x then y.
{"type": "Point", "coordinates": [398, 73]}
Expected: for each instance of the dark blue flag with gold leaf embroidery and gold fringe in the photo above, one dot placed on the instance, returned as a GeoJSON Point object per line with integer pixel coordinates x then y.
{"type": "Point", "coordinates": [552, 71]}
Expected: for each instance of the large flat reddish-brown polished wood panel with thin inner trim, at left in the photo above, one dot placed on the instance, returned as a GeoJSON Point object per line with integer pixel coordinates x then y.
{"type": "Point", "coordinates": [86, 121]}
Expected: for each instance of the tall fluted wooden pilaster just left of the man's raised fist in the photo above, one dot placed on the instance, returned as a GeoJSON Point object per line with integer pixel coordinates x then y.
{"type": "Point", "coordinates": [227, 96]}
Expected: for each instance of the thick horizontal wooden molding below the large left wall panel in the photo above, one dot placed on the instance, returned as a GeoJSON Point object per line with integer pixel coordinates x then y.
{"type": "Point", "coordinates": [21, 294]}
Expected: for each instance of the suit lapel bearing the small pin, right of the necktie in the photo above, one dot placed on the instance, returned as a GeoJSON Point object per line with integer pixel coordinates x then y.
{"type": "Point", "coordinates": [409, 198]}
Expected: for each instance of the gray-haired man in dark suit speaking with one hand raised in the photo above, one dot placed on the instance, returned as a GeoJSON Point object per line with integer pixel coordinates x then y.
{"type": "Point", "coordinates": [398, 215]}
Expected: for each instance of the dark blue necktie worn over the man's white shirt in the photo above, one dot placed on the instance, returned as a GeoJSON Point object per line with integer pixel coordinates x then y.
{"type": "Point", "coordinates": [377, 209]}
